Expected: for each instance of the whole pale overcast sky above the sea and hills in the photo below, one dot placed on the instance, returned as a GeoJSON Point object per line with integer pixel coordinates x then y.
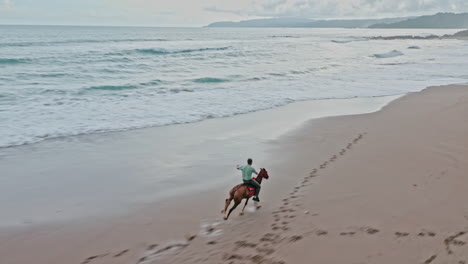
{"type": "Point", "coordinates": [202, 12]}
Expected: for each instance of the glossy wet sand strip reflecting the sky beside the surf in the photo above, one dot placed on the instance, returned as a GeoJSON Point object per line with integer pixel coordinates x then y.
{"type": "Point", "coordinates": [166, 143]}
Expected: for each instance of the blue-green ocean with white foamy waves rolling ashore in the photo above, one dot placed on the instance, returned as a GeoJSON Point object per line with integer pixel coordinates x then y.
{"type": "Point", "coordinates": [58, 81]}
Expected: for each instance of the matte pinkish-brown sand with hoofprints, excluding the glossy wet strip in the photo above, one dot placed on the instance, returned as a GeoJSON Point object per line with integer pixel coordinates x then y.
{"type": "Point", "coordinates": [385, 187]}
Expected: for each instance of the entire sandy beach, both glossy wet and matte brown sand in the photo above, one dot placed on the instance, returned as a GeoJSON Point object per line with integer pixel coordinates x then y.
{"type": "Point", "coordinates": [381, 187]}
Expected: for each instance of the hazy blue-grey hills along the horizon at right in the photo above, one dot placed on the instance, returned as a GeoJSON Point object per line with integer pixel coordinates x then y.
{"type": "Point", "coordinates": [439, 20]}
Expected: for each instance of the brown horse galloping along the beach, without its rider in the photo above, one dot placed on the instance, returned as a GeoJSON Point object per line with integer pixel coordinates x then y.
{"type": "Point", "coordinates": [240, 192]}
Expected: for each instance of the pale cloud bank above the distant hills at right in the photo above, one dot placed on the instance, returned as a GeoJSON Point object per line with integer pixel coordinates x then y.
{"type": "Point", "coordinates": [343, 8]}
